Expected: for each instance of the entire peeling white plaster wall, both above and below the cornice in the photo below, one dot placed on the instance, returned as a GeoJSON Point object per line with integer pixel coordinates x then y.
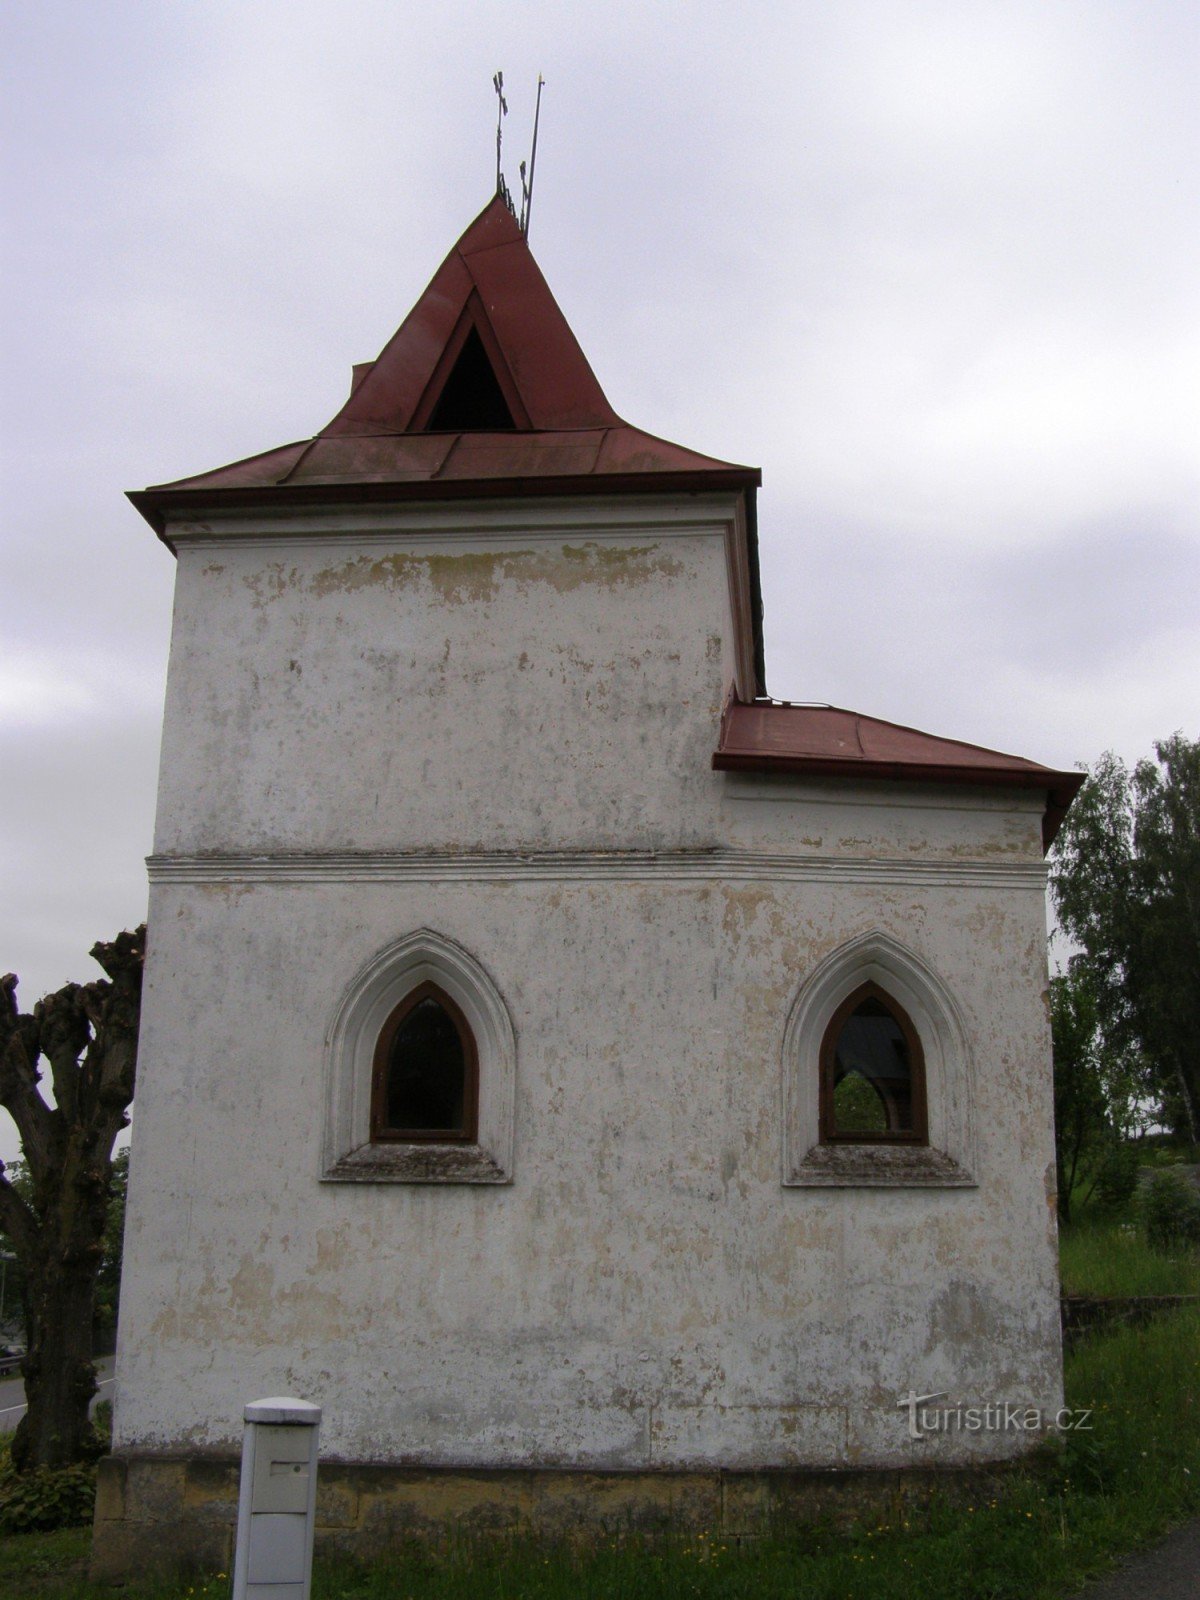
{"type": "Point", "coordinates": [646, 1292]}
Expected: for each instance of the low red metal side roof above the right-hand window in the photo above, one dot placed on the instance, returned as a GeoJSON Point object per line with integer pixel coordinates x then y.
{"type": "Point", "coordinates": [825, 742]}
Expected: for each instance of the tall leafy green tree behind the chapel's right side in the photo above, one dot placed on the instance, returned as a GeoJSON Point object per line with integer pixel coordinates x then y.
{"type": "Point", "coordinates": [1126, 879]}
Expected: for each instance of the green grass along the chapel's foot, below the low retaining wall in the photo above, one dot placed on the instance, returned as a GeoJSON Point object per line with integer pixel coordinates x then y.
{"type": "Point", "coordinates": [1130, 1478]}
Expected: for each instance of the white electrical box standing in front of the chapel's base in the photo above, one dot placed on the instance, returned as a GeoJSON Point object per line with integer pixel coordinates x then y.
{"type": "Point", "coordinates": [278, 1505]}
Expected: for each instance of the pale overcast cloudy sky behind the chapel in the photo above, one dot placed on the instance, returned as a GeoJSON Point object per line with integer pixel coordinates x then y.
{"type": "Point", "coordinates": [932, 266]}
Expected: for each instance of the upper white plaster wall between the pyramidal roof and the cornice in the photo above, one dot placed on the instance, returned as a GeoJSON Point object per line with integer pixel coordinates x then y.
{"type": "Point", "coordinates": [420, 682]}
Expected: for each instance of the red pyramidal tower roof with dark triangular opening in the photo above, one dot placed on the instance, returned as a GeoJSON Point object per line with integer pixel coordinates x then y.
{"type": "Point", "coordinates": [482, 391]}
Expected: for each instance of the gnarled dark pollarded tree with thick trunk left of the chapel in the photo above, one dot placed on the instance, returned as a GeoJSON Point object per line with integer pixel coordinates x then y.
{"type": "Point", "coordinates": [89, 1036]}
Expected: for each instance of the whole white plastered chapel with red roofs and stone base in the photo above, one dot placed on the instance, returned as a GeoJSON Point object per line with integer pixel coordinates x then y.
{"type": "Point", "coordinates": [604, 1089]}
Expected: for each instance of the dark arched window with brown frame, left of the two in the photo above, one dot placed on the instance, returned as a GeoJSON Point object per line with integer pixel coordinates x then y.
{"type": "Point", "coordinates": [426, 1073]}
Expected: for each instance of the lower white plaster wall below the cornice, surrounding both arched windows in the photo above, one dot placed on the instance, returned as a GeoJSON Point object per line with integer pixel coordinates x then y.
{"type": "Point", "coordinates": [646, 1292]}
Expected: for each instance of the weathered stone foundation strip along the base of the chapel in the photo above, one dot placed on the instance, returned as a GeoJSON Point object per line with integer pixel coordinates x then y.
{"type": "Point", "coordinates": [167, 1514]}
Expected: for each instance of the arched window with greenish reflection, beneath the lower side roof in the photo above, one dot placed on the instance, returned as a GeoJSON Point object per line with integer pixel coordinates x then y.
{"type": "Point", "coordinates": [873, 1073]}
